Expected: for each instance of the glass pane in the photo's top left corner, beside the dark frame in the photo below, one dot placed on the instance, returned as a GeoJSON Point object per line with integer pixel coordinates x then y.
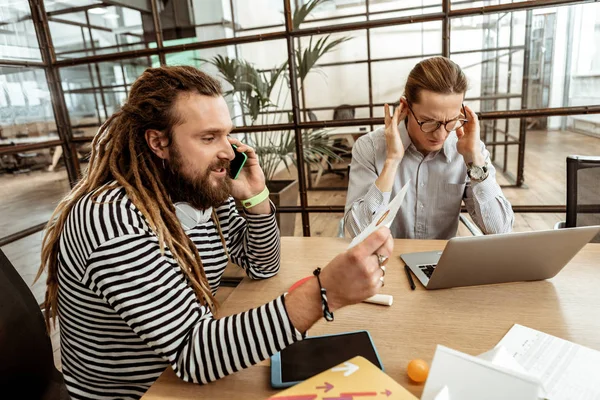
{"type": "Point", "coordinates": [18, 40]}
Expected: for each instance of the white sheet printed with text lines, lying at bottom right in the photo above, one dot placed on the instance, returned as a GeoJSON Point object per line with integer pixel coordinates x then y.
{"type": "Point", "coordinates": [566, 370]}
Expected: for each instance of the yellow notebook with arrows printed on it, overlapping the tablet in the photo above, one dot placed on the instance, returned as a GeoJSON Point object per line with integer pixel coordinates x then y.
{"type": "Point", "coordinates": [355, 379]}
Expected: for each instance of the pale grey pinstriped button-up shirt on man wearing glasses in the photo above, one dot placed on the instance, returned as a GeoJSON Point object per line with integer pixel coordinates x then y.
{"type": "Point", "coordinates": [438, 185]}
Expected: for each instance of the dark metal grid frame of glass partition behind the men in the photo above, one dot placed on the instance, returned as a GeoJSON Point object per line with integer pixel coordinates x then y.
{"type": "Point", "coordinates": [51, 66]}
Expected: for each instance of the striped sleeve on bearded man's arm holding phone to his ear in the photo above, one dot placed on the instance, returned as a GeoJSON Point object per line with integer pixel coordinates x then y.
{"type": "Point", "coordinates": [254, 243]}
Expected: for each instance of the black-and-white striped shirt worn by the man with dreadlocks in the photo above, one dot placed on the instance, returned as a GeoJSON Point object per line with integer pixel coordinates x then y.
{"type": "Point", "coordinates": [126, 311]}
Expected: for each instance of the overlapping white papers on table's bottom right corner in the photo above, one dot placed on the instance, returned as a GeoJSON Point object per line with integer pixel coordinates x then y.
{"type": "Point", "coordinates": [526, 364]}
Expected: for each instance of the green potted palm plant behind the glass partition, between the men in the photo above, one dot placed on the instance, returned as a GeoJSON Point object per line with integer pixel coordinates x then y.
{"type": "Point", "coordinates": [254, 90]}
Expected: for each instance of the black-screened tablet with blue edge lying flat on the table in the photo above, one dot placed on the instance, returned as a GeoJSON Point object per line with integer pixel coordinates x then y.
{"type": "Point", "coordinates": [316, 354]}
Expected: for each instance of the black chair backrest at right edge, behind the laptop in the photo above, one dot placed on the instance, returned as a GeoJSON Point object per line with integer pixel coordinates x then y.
{"type": "Point", "coordinates": [583, 192]}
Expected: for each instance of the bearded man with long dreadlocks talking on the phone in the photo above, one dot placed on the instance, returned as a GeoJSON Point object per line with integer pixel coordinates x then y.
{"type": "Point", "coordinates": [135, 252]}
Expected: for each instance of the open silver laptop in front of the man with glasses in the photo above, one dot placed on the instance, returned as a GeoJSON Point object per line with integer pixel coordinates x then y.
{"type": "Point", "coordinates": [510, 257]}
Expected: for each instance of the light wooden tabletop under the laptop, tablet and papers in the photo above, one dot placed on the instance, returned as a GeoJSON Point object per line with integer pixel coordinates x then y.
{"type": "Point", "coordinates": [471, 319]}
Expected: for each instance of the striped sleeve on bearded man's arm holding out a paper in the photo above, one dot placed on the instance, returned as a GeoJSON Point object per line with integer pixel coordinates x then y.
{"type": "Point", "coordinates": [151, 295]}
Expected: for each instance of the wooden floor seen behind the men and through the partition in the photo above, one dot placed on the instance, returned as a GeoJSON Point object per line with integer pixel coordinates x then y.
{"type": "Point", "coordinates": [29, 199]}
